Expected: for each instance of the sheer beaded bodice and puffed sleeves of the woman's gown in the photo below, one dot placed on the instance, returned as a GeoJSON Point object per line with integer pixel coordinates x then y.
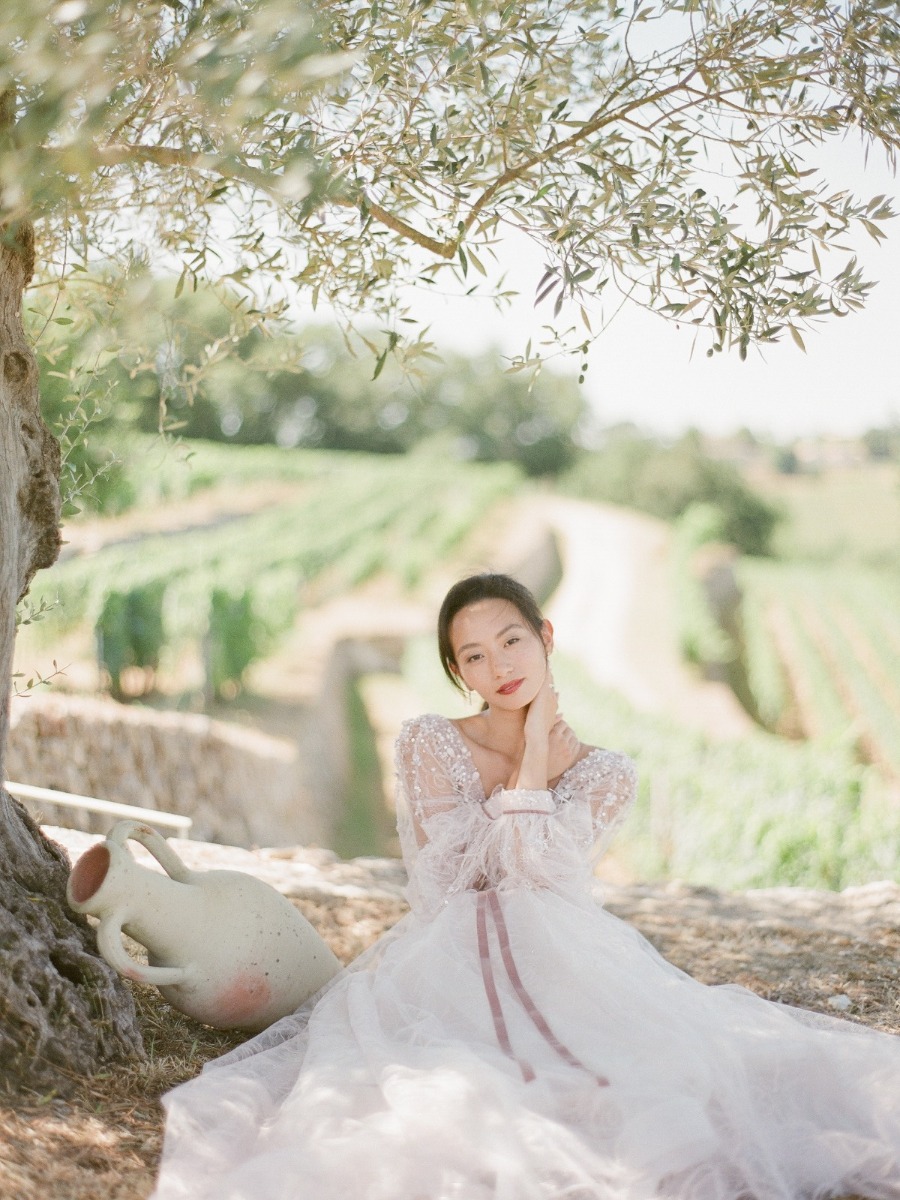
{"type": "Point", "coordinates": [457, 839]}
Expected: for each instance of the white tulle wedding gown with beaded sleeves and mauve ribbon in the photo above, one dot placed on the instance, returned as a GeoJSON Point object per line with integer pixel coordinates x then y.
{"type": "Point", "coordinates": [509, 1040]}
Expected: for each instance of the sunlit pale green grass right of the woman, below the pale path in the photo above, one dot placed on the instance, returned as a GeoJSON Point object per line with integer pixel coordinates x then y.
{"type": "Point", "coordinates": [757, 812]}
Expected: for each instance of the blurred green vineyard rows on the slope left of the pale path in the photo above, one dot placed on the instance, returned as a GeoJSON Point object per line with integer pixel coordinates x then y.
{"type": "Point", "coordinates": [233, 589]}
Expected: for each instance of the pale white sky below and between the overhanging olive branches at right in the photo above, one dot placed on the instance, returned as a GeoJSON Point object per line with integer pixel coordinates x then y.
{"type": "Point", "coordinates": [641, 369]}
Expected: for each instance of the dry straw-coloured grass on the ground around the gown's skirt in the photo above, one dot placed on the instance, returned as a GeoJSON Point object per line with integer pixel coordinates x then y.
{"type": "Point", "coordinates": [104, 1142]}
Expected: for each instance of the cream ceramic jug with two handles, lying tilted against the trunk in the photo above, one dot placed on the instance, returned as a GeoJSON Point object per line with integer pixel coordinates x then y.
{"type": "Point", "coordinates": [224, 946]}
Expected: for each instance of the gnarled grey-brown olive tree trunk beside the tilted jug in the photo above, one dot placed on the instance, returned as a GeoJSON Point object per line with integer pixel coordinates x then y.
{"type": "Point", "coordinates": [64, 1013]}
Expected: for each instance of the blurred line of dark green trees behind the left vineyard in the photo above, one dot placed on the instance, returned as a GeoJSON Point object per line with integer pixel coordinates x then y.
{"type": "Point", "coordinates": [304, 388]}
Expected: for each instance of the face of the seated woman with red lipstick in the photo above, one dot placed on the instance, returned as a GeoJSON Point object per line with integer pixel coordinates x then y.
{"type": "Point", "coordinates": [499, 655]}
